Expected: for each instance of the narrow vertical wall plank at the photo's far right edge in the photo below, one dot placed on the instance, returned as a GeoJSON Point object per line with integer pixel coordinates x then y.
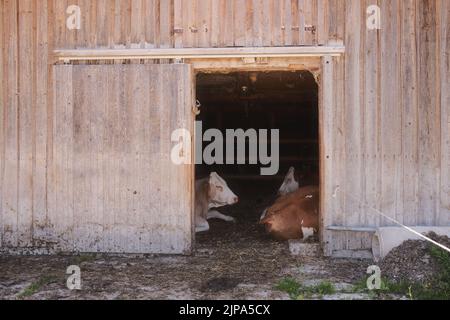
{"type": "Point", "coordinates": [444, 217]}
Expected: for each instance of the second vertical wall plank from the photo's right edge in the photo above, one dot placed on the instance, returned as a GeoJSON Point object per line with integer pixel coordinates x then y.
{"type": "Point", "coordinates": [429, 115]}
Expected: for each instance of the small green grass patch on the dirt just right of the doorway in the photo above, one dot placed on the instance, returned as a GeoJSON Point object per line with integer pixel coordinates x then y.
{"type": "Point", "coordinates": [299, 292]}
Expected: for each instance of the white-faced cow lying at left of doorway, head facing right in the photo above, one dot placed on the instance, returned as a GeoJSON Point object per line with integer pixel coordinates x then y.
{"type": "Point", "coordinates": [211, 192]}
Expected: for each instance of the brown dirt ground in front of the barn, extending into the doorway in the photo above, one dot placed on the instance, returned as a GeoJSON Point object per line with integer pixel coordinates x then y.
{"type": "Point", "coordinates": [231, 261]}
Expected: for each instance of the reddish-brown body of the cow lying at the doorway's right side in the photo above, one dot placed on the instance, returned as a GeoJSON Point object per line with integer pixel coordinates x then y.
{"type": "Point", "coordinates": [294, 216]}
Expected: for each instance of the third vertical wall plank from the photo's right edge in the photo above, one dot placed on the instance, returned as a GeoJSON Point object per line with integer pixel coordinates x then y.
{"type": "Point", "coordinates": [409, 106]}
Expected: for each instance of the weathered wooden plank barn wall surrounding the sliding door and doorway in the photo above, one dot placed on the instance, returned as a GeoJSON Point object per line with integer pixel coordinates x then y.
{"type": "Point", "coordinates": [391, 139]}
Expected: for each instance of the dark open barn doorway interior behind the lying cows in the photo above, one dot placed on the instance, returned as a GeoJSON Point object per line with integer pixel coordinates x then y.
{"type": "Point", "coordinates": [283, 100]}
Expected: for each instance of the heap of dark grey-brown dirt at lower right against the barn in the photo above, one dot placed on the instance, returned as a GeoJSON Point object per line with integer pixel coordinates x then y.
{"type": "Point", "coordinates": [412, 262]}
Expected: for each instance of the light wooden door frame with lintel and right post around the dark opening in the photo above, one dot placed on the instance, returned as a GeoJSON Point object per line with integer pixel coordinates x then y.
{"type": "Point", "coordinates": [322, 69]}
